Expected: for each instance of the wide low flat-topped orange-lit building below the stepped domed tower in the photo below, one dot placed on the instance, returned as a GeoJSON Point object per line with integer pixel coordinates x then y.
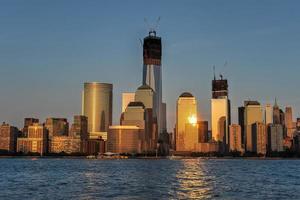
{"type": "Point", "coordinates": [124, 139]}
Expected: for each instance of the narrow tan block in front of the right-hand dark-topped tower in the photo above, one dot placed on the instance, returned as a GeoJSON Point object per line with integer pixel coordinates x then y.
{"type": "Point", "coordinates": [259, 138]}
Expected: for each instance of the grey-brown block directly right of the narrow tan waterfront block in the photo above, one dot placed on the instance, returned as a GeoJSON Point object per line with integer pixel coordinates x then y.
{"type": "Point", "coordinates": [275, 137]}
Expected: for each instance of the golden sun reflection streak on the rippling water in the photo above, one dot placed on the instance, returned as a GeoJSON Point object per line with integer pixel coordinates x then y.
{"type": "Point", "coordinates": [194, 181]}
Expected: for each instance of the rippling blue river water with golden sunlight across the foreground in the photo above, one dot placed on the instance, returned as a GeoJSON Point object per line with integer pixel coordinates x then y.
{"type": "Point", "coordinates": [149, 179]}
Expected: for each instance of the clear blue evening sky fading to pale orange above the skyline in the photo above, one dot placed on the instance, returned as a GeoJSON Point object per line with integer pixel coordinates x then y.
{"type": "Point", "coordinates": [48, 49]}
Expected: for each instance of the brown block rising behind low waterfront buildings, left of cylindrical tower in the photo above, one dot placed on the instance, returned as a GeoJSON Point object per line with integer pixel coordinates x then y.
{"type": "Point", "coordinates": [57, 127]}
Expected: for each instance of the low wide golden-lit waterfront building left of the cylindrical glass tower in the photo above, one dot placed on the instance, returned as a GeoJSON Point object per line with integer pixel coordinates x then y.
{"type": "Point", "coordinates": [66, 144]}
